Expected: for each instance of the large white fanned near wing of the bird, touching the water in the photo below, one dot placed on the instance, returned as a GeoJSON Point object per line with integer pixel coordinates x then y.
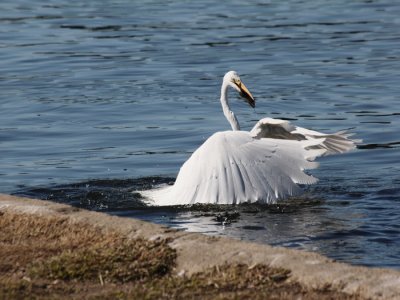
{"type": "Point", "coordinates": [234, 167]}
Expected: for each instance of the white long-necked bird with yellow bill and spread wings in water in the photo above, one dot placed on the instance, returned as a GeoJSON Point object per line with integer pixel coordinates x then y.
{"type": "Point", "coordinates": [263, 165]}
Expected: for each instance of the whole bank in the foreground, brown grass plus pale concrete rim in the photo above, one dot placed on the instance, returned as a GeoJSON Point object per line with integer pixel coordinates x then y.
{"type": "Point", "coordinates": [54, 250]}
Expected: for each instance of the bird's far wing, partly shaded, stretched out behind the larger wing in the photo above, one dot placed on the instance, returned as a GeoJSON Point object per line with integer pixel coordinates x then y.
{"type": "Point", "coordinates": [334, 143]}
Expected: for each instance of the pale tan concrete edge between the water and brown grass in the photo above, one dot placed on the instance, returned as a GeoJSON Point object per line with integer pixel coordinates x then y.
{"type": "Point", "coordinates": [197, 252]}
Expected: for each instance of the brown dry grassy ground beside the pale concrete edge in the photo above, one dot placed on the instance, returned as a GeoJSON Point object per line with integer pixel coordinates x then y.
{"type": "Point", "coordinates": [53, 257]}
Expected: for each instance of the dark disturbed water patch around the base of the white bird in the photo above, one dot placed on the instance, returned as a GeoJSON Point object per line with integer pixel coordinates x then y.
{"type": "Point", "coordinates": [122, 197]}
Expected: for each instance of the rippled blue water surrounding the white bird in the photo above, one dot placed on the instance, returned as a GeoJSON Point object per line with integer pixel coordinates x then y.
{"type": "Point", "coordinates": [98, 97]}
